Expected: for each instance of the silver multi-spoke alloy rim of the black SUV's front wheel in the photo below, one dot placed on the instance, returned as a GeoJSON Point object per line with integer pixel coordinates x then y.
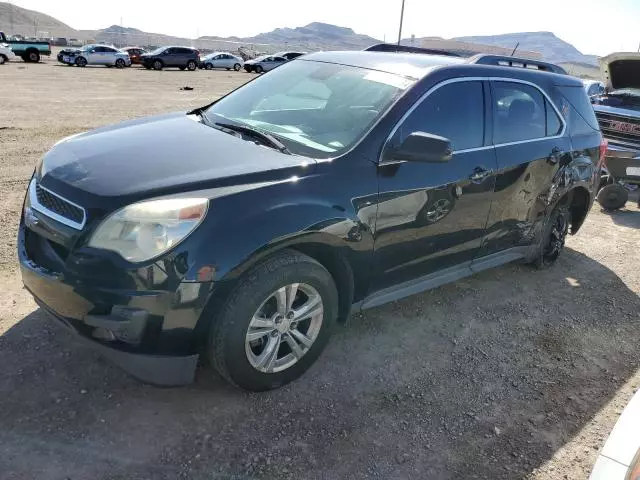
{"type": "Point", "coordinates": [284, 328]}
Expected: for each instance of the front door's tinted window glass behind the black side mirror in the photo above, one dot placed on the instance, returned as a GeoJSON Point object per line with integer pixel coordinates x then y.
{"type": "Point", "coordinates": [454, 111]}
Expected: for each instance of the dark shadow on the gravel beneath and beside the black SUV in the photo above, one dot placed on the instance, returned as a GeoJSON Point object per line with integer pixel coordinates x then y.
{"type": "Point", "coordinates": [484, 378]}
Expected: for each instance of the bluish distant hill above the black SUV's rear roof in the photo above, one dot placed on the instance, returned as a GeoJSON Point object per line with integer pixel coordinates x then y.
{"type": "Point", "coordinates": [553, 49]}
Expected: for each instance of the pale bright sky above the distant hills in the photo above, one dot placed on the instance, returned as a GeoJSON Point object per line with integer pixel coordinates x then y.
{"type": "Point", "coordinates": [593, 26]}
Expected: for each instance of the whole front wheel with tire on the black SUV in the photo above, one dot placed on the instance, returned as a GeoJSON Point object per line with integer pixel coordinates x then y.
{"type": "Point", "coordinates": [275, 323]}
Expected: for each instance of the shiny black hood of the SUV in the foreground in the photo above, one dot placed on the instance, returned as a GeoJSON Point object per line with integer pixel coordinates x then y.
{"type": "Point", "coordinates": [154, 156]}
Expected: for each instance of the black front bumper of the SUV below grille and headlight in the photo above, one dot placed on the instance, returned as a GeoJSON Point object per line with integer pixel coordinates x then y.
{"type": "Point", "coordinates": [148, 333]}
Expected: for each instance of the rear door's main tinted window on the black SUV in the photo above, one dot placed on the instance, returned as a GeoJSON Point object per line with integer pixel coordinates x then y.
{"type": "Point", "coordinates": [519, 113]}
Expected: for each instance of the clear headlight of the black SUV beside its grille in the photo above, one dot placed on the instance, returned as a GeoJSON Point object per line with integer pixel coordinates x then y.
{"type": "Point", "coordinates": [145, 230]}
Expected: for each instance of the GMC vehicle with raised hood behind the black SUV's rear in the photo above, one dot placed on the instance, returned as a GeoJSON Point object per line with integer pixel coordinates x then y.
{"type": "Point", "coordinates": [618, 111]}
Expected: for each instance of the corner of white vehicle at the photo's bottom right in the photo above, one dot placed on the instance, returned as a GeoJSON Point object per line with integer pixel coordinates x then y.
{"type": "Point", "coordinates": [620, 456]}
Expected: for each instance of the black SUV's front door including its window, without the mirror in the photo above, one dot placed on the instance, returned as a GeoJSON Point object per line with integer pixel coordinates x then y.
{"type": "Point", "coordinates": [432, 216]}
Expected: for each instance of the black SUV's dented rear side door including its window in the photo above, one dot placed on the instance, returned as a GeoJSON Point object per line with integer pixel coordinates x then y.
{"type": "Point", "coordinates": [530, 144]}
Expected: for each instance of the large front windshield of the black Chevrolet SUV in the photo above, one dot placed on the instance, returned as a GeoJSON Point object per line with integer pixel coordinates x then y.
{"type": "Point", "coordinates": [316, 109]}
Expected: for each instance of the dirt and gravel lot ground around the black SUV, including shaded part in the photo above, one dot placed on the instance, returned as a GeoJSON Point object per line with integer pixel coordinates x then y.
{"type": "Point", "coordinates": [511, 374]}
